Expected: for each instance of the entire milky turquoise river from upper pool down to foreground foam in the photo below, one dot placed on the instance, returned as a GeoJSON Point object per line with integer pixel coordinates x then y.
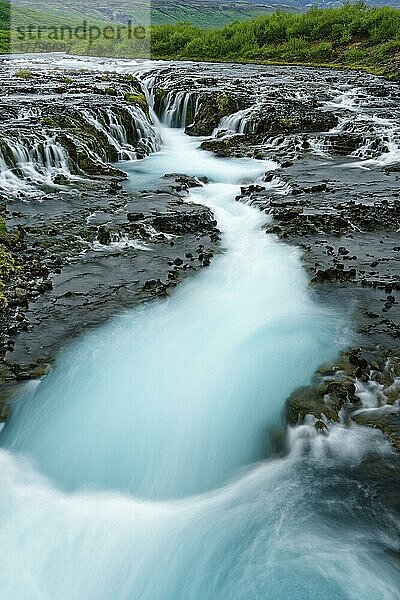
{"type": "Point", "coordinates": [142, 467]}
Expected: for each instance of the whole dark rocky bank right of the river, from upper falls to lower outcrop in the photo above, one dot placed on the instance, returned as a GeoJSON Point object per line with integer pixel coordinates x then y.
{"type": "Point", "coordinates": [336, 137]}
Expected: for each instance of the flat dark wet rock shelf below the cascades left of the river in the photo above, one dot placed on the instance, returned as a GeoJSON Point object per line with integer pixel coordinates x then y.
{"type": "Point", "coordinates": [98, 251]}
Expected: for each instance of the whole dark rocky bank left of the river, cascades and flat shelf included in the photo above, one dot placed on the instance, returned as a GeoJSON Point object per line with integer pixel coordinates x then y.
{"type": "Point", "coordinates": [76, 246]}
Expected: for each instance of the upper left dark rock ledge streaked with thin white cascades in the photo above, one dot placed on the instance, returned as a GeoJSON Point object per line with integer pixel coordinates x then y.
{"type": "Point", "coordinates": [79, 123]}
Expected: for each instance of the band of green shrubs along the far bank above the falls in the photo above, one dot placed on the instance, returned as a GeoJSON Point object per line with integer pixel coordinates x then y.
{"type": "Point", "coordinates": [353, 35]}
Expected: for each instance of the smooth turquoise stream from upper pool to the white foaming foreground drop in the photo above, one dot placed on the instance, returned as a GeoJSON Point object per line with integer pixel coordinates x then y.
{"type": "Point", "coordinates": [228, 324]}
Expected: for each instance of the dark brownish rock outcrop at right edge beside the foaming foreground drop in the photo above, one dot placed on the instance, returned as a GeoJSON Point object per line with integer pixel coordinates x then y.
{"type": "Point", "coordinates": [361, 386]}
